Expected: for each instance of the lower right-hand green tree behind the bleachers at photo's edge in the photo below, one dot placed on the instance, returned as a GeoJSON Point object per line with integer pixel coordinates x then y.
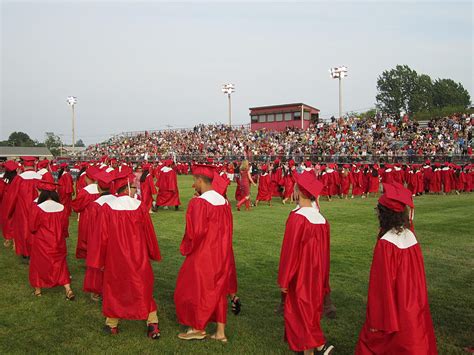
{"type": "Point", "coordinates": [447, 92]}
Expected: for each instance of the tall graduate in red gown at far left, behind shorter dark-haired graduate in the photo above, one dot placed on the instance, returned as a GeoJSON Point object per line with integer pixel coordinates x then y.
{"type": "Point", "coordinates": [19, 203]}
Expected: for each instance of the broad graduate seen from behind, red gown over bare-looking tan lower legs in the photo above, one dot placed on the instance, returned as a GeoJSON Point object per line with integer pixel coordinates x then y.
{"type": "Point", "coordinates": [128, 243]}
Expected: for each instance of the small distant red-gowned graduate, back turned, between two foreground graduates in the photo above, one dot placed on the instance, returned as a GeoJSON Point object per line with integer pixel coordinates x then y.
{"type": "Point", "coordinates": [168, 192]}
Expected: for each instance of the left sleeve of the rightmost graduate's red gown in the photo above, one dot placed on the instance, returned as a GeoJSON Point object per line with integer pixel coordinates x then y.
{"type": "Point", "coordinates": [381, 302]}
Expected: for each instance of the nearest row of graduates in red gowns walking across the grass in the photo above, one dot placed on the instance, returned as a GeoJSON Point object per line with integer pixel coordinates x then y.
{"type": "Point", "coordinates": [121, 241]}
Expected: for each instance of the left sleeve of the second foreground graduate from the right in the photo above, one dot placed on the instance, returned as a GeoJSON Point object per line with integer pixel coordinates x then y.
{"type": "Point", "coordinates": [290, 250]}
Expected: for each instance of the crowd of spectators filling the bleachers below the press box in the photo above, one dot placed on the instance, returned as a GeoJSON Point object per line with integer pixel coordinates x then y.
{"type": "Point", "coordinates": [351, 137]}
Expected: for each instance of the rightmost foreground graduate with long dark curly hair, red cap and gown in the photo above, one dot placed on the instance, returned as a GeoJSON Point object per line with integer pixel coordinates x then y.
{"type": "Point", "coordinates": [398, 319]}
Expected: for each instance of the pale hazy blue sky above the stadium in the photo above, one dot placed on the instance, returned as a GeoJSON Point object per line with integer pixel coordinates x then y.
{"type": "Point", "coordinates": [147, 65]}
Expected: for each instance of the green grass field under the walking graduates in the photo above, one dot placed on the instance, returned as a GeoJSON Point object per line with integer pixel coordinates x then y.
{"type": "Point", "coordinates": [444, 226]}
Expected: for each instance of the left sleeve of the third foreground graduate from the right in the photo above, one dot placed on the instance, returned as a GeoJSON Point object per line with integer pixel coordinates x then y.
{"type": "Point", "coordinates": [196, 226]}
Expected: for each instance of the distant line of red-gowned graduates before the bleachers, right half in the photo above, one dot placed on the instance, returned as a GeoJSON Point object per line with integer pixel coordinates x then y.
{"type": "Point", "coordinates": [363, 180]}
